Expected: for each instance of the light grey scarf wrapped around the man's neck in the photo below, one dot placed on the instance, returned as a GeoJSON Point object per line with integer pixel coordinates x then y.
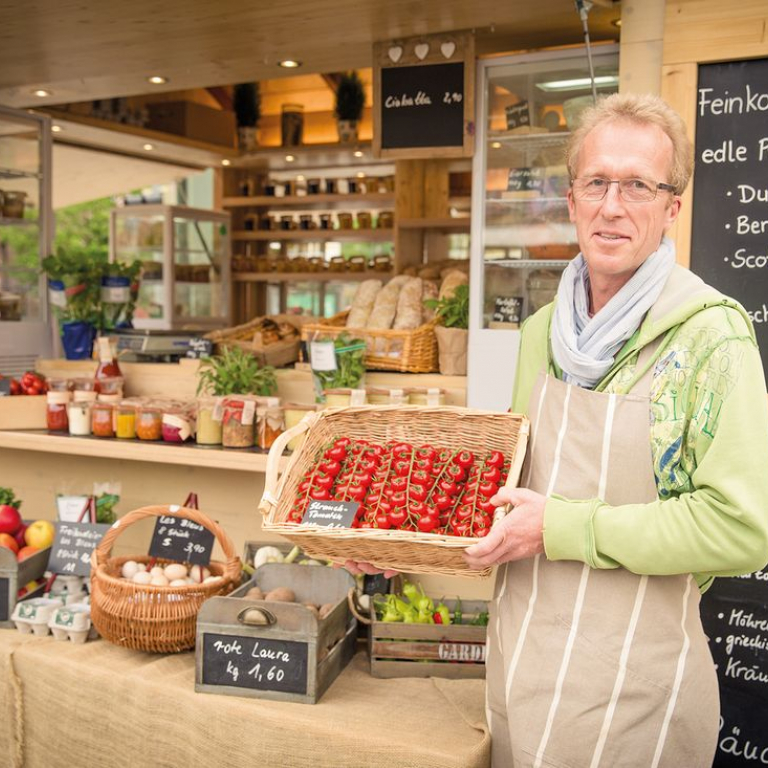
{"type": "Point", "coordinates": [585, 347]}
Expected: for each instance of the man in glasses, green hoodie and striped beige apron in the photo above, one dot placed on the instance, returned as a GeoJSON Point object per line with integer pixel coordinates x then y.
{"type": "Point", "coordinates": [645, 476]}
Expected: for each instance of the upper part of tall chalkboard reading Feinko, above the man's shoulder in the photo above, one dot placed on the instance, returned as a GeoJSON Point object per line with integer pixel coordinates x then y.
{"type": "Point", "coordinates": [729, 247]}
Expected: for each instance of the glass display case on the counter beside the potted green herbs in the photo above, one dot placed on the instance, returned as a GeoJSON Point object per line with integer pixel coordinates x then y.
{"type": "Point", "coordinates": [185, 256]}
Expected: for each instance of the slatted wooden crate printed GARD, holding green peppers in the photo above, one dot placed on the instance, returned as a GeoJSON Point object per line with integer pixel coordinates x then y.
{"type": "Point", "coordinates": [429, 650]}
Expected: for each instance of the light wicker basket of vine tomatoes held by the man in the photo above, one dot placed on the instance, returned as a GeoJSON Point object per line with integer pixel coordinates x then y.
{"type": "Point", "coordinates": [409, 551]}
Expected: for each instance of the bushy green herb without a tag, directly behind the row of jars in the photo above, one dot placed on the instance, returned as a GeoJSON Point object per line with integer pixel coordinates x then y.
{"type": "Point", "coordinates": [235, 372]}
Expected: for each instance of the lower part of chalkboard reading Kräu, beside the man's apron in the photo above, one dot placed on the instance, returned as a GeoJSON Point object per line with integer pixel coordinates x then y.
{"type": "Point", "coordinates": [734, 613]}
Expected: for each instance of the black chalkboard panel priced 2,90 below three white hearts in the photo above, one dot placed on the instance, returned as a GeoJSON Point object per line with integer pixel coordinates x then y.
{"type": "Point", "coordinates": [422, 106]}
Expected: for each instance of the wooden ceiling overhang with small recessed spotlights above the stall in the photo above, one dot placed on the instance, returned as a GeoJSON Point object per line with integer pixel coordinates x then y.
{"type": "Point", "coordinates": [90, 49]}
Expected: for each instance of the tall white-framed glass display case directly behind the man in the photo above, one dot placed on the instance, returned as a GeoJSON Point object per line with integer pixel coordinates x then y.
{"type": "Point", "coordinates": [522, 237]}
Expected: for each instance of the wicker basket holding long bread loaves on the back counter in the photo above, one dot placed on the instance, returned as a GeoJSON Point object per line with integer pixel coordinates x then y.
{"type": "Point", "coordinates": [386, 350]}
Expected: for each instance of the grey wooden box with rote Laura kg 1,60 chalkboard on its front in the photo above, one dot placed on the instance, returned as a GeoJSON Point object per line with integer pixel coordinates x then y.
{"type": "Point", "coordinates": [277, 650]}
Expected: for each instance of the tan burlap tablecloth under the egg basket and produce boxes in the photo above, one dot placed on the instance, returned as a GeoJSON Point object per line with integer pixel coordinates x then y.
{"type": "Point", "coordinates": [99, 706]}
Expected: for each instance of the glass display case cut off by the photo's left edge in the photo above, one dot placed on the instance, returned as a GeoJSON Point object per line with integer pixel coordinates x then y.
{"type": "Point", "coordinates": [25, 237]}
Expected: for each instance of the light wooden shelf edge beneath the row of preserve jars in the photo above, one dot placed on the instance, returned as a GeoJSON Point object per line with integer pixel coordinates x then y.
{"type": "Point", "coordinates": [189, 455]}
